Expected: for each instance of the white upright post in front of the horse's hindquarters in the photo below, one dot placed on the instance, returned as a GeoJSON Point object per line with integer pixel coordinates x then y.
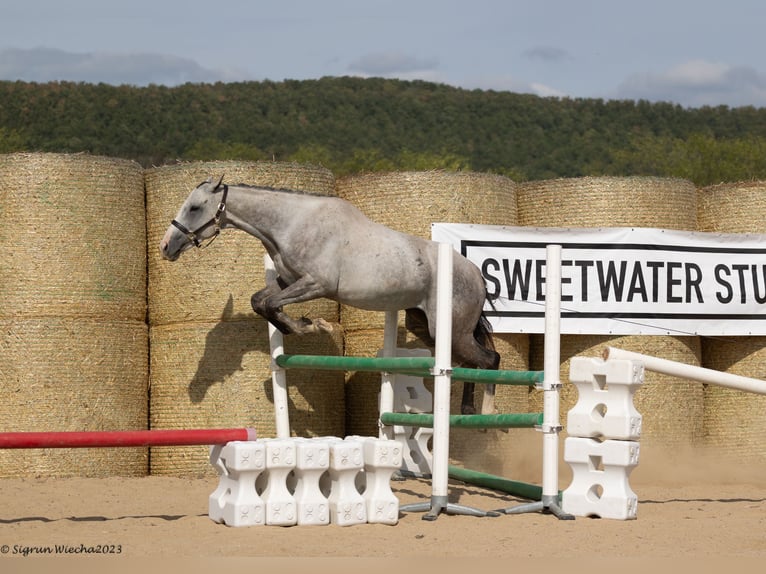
{"type": "Point", "coordinates": [442, 379]}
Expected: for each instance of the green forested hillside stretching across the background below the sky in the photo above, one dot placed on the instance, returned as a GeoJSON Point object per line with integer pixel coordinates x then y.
{"type": "Point", "coordinates": [352, 125]}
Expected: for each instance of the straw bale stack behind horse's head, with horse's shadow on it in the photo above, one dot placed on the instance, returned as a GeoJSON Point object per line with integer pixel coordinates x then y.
{"type": "Point", "coordinates": [210, 362]}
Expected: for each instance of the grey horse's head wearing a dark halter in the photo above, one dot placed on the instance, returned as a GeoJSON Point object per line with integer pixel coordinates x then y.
{"type": "Point", "coordinates": [198, 220]}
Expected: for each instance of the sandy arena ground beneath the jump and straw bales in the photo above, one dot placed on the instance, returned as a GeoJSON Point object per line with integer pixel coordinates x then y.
{"type": "Point", "coordinates": [689, 509]}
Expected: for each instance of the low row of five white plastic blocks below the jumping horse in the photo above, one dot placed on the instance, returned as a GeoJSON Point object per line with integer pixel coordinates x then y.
{"type": "Point", "coordinates": [300, 481]}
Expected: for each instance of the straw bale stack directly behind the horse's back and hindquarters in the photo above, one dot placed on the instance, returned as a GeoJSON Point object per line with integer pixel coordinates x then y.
{"type": "Point", "coordinates": [410, 202]}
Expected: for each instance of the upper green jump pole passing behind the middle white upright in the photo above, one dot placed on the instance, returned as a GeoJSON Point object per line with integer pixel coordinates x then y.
{"type": "Point", "coordinates": [415, 366]}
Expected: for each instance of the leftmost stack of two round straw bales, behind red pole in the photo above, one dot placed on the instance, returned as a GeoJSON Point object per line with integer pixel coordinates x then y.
{"type": "Point", "coordinates": [74, 349]}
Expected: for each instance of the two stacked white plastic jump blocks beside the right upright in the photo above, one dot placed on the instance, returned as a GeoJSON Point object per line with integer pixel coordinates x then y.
{"type": "Point", "coordinates": [602, 448]}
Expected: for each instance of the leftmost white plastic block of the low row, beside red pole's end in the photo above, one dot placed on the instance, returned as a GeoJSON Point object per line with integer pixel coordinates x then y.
{"type": "Point", "coordinates": [235, 502]}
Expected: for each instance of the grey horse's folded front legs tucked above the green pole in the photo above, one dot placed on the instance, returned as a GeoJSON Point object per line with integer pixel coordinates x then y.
{"type": "Point", "coordinates": [268, 303]}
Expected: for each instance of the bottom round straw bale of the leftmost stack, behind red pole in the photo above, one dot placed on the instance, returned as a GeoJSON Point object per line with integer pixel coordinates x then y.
{"type": "Point", "coordinates": [61, 374]}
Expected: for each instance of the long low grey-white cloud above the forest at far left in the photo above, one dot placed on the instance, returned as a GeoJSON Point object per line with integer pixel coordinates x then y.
{"type": "Point", "coordinates": [47, 64]}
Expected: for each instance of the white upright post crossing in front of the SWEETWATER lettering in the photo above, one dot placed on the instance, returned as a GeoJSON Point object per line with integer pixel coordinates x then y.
{"type": "Point", "coordinates": [551, 380]}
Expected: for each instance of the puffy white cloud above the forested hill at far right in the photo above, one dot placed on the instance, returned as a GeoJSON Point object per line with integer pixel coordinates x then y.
{"type": "Point", "coordinates": [699, 83]}
